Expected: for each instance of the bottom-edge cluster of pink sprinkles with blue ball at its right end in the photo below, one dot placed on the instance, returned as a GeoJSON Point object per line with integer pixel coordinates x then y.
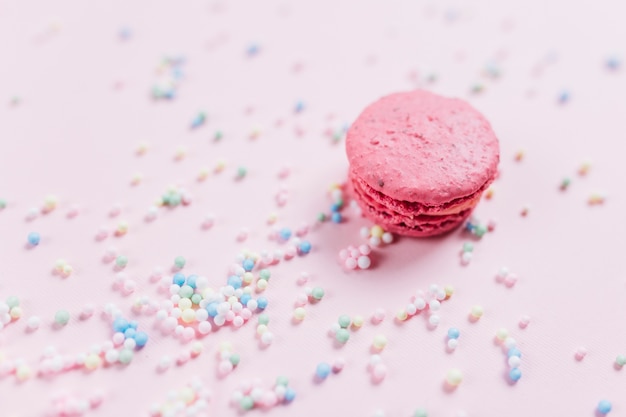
{"type": "Point", "coordinates": [251, 395]}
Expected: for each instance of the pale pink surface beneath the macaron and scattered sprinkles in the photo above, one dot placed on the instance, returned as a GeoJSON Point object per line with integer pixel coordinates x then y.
{"type": "Point", "coordinates": [74, 135]}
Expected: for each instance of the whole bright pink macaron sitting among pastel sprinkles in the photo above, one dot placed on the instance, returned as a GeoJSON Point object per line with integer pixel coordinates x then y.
{"type": "Point", "coordinates": [419, 162]}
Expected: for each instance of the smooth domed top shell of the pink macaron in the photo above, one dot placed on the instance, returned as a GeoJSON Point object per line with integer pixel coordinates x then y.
{"type": "Point", "coordinates": [420, 147]}
